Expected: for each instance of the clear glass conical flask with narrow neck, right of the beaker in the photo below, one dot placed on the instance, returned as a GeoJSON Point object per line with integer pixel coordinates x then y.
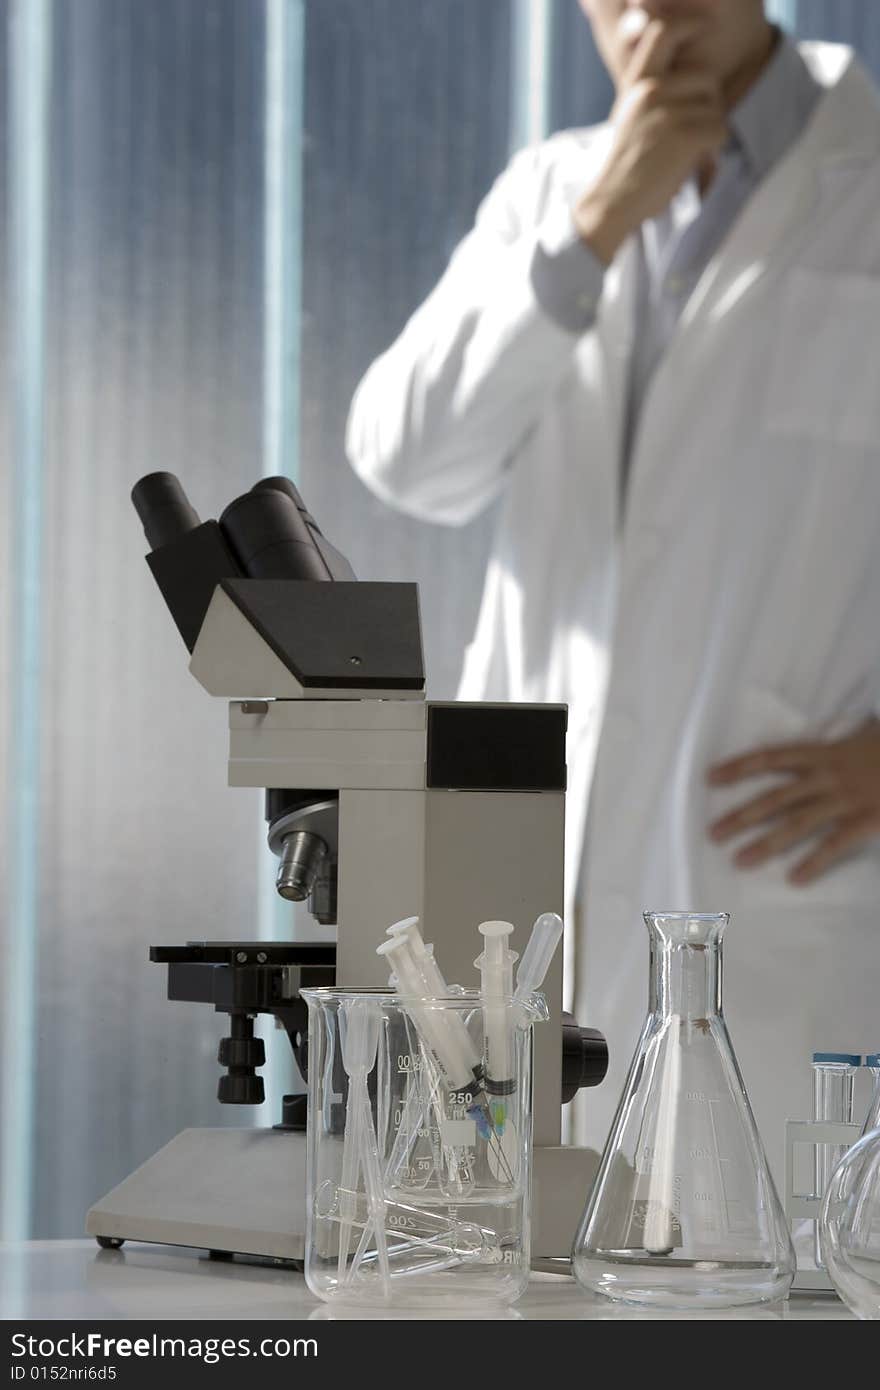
{"type": "Point", "coordinates": [683, 1210]}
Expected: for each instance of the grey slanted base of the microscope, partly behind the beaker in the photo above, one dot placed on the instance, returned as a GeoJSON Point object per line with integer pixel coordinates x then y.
{"type": "Point", "coordinates": [244, 1192]}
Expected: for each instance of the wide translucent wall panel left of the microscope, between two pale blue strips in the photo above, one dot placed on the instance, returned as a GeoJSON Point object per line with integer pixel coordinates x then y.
{"type": "Point", "coordinates": [154, 362]}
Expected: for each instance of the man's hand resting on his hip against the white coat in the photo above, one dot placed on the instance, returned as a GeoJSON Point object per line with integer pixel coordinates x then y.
{"type": "Point", "coordinates": [831, 796]}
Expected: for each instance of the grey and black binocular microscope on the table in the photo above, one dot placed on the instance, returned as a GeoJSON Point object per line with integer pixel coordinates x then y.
{"type": "Point", "coordinates": [380, 806]}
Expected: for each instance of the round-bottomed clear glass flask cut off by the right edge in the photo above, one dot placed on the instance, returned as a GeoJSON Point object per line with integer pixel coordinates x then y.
{"type": "Point", "coordinates": [850, 1228]}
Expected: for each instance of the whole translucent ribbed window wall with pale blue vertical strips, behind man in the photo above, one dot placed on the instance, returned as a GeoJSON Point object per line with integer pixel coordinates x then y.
{"type": "Point", "coordinates": [216, 215]}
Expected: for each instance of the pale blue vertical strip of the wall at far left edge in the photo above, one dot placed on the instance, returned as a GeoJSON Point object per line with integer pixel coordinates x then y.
{"type": "Point", "coordinates": [27, 59]}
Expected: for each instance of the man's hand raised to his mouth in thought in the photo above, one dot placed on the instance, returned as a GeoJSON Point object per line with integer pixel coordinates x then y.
{"type": "Point", "coordinates": [669, 122]}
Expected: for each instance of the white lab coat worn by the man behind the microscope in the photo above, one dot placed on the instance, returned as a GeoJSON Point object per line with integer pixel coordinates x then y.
{"type": "Point", "coordinates": [736, 603]}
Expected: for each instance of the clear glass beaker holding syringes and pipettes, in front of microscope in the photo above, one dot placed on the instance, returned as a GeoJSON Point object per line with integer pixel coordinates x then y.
{"type": "Point", "coordinates": [434, 1207]}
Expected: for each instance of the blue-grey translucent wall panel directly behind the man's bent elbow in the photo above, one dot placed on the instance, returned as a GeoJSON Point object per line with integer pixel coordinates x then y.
{"type": "Point", "coordinates": [407, 126]}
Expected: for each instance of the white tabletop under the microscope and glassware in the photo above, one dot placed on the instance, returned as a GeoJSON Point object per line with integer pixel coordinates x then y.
{"type": "Point", "coordinates": [74, 1281]}
